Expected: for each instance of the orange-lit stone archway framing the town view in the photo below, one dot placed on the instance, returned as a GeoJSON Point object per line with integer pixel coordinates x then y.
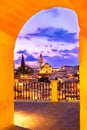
{"type": "Point", "coordinates": [12, 17]}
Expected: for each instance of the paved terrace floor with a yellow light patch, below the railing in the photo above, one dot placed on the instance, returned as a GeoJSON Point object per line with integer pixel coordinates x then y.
{"type": "Point", "coordinates": [46, 116]}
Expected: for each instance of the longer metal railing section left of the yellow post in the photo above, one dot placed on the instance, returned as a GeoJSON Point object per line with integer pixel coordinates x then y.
{"type": "Point", "coordinates": [32, 91]}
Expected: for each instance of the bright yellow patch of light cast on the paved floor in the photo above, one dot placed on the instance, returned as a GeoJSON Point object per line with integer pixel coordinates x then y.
{"type": "Point", "coordinates": [27, 120]}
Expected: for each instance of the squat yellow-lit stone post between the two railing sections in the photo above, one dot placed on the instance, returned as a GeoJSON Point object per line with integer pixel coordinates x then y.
{"type": "Point", "coordinates": [54, 86]}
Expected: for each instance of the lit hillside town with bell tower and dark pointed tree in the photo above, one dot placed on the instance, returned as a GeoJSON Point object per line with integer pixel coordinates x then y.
{"type": "Point", "coordinates": [45, 72]}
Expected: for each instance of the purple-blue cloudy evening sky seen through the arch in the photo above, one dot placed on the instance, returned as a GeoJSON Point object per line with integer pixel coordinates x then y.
{"type": "Point", "coordinates": [54, 33]}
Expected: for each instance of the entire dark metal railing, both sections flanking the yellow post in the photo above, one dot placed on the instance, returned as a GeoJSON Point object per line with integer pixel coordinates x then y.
{"type": "Point", "coordinates": [42, 90]}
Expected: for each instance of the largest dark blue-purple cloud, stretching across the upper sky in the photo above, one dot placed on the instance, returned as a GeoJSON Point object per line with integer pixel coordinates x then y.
{"type": "Point", "coordinates": [53, 35]}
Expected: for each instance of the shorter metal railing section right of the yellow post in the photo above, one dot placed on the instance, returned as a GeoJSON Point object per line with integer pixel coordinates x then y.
{"type": "Point", "coordinates": [68, 90]}
